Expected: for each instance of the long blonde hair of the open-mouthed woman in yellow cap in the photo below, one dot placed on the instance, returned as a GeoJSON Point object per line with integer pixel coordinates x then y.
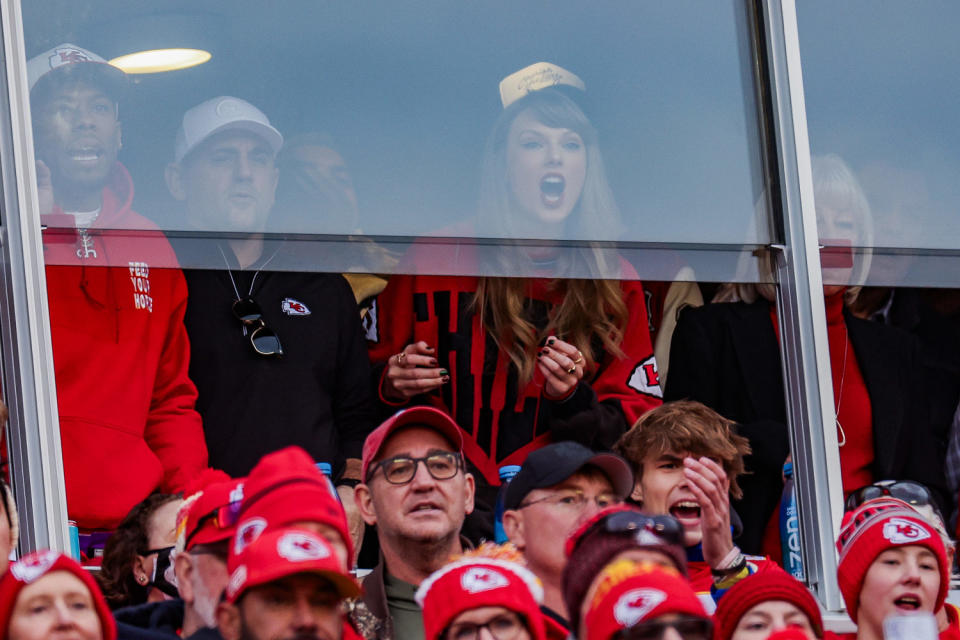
{"type": "Point", "coordinates": [592, 315]}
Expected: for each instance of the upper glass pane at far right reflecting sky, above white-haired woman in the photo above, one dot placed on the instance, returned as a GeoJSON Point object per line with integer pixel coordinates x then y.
{"type": "Point", "coordinates": [880, 97]}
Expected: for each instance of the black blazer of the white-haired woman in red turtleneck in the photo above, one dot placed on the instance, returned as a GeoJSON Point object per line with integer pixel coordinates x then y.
{"type": "Point", "coordinates": [727, 356]}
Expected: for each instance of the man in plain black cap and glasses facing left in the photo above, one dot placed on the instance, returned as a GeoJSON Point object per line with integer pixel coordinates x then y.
{"type": "Point", "coordinates": [559, 487]}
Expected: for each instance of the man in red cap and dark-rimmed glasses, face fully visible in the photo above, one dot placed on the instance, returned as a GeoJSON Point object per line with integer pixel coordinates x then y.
{"type": "Point", "coordinates": [417, 492]}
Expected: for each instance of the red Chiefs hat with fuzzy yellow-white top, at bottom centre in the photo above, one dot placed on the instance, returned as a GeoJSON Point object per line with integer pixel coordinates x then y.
{"type": "Point", "coordinates": [475, 582]}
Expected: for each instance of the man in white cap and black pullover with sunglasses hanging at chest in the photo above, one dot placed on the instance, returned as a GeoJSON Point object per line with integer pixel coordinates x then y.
{"type": "Point", "coordinates": [278, 357]}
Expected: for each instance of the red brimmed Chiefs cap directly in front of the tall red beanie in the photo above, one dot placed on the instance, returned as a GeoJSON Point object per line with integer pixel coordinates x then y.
{"type": "Point", "coordinates": [286, 552]}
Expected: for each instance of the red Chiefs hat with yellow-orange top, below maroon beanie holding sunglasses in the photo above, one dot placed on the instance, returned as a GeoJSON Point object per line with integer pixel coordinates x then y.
{"type": "Point", "coordinates": [628, 593]}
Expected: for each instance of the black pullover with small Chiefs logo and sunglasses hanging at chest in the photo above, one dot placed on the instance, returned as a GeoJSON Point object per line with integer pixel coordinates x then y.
{"type": "Point", "coordinates": [315, 396]}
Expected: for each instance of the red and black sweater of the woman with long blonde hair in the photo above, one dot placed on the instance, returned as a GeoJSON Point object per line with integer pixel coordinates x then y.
{"type": "Point", "coordinates": [502, 423]}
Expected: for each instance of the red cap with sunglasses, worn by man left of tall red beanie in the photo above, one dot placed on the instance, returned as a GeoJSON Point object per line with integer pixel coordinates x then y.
{"type": "Point", "coordinates": [209, 512]}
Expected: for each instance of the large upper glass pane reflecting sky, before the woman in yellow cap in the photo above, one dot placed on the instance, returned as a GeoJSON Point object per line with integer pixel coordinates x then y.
{"type": "Point", "coordinates": [385, 110]}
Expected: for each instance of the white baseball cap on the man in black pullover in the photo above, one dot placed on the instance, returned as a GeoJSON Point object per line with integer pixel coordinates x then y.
{"type": "Point", "coordinates": [224, 113]}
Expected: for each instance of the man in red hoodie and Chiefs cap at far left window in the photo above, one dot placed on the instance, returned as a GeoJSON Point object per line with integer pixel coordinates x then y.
{"type": "Point", "coordinates": [116, 297]}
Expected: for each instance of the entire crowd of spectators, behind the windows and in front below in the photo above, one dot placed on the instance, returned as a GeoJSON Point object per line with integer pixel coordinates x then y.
{"type": "Point", "coordinates": [195, 407]}
